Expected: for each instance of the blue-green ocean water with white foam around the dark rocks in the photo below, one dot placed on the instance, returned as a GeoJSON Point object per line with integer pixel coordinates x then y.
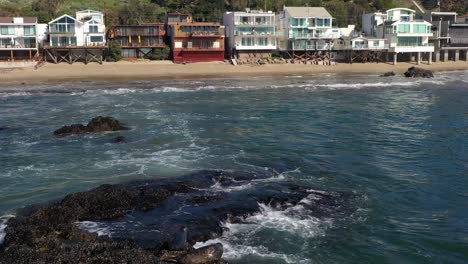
{"type": "Point", "coordinates": [399, 145]}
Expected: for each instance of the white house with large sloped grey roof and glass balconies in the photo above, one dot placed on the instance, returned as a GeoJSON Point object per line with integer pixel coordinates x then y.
{"type": "Point", "coordinates": [302, 29]}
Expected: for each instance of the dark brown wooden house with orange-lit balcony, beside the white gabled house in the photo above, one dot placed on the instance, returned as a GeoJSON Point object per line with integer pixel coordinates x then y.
{"type": "Point", "coordinates": [138, 41]}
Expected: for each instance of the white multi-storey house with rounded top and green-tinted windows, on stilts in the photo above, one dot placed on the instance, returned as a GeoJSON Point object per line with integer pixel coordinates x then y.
{"type": "Point", "coordinates": [404, 34]}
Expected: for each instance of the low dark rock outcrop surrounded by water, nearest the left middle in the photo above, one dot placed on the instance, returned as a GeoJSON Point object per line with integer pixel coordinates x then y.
{"type": "Point", "coordinates": [96, 125]}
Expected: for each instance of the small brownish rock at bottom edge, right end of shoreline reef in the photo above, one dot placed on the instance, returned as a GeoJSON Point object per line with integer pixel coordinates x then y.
{"type": "Point", "coordinates": [208, 254]}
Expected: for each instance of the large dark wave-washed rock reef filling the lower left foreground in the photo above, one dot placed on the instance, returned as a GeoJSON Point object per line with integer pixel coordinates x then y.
{"type": "Point", "coordinates": [52, 233]}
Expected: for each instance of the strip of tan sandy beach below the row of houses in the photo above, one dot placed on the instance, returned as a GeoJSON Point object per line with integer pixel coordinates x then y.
{"type": "Point", "coordinates": [130, 71]}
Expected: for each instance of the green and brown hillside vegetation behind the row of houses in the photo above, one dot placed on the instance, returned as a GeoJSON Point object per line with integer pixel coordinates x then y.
{"type": "Point", "coordinates": [134, 11]}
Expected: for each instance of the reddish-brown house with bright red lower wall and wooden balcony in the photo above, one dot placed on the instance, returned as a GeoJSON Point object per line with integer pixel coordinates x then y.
{"type": "Point", "coordinates": [194, 41]}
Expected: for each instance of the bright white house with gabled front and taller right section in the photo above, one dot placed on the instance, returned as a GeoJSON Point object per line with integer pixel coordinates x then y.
{"type": "Point", "coordinates": [87, 29]}
